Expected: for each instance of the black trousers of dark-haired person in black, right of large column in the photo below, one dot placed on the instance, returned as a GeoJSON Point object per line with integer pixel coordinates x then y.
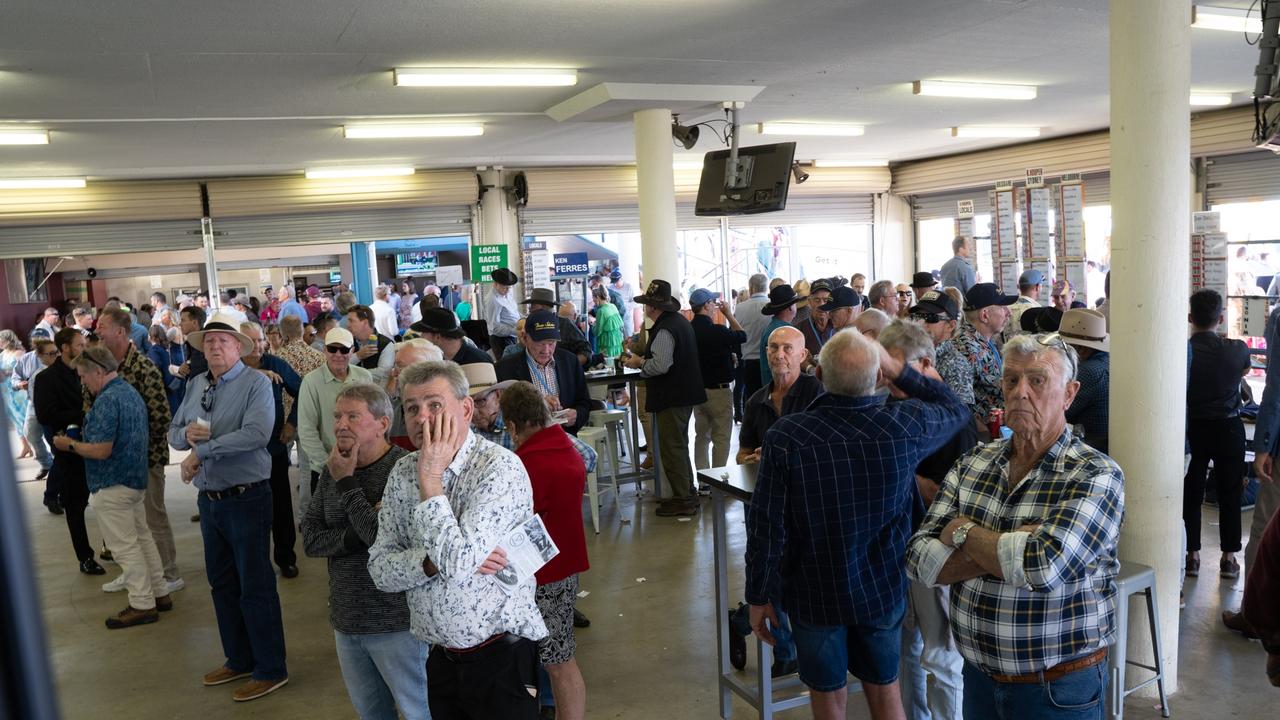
{"type": "Point", "coordinates": [1223, 443]}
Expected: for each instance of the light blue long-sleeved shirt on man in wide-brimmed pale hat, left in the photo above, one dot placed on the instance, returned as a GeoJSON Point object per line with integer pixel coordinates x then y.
{"type": "Point", "coordinates": [243, 413]}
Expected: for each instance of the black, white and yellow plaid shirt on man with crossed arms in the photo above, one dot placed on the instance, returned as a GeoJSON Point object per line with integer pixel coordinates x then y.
{"type": "Point", "coordinates": [1058, 601]}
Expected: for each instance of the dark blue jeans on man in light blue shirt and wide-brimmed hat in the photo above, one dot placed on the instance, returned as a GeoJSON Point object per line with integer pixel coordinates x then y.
{"type": "Point", "coordinates": [237, 534]}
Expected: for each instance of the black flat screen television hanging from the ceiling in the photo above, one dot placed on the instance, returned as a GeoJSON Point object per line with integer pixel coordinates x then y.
{"type": "Point", "coordinates": [766, 180]}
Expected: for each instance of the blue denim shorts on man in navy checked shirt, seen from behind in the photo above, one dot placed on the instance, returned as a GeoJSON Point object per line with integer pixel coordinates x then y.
{"type": "Point", "coordinates": [828, 654]}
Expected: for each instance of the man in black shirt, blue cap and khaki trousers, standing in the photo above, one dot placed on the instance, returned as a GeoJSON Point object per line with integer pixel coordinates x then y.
{"type": "Point", "coordinates": [716, 347]}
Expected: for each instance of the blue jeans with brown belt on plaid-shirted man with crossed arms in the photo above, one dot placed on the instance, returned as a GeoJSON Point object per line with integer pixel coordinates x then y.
{"type": "Point", "coordinates": [1078, 696]}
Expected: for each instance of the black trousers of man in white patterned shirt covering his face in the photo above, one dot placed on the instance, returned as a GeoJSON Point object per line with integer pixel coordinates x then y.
{"type": "Point", "coordinates": [497, 681]}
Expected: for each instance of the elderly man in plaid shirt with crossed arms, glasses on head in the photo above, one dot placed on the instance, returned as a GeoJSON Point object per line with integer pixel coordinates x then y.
{"type": "Point", "coordinates": [1025, 531]}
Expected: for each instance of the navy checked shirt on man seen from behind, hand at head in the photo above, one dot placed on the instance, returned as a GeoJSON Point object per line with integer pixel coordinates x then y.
{"type": "Point", "coordinates": [829, 523]}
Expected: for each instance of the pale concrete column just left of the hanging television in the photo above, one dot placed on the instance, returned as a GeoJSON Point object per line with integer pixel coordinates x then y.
{"type": "Point", "coordinates": [656, 185]}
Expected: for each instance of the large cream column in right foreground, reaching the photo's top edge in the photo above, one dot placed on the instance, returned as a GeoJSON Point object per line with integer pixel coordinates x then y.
{"type": "Point", "coordinates": [1151, 266]}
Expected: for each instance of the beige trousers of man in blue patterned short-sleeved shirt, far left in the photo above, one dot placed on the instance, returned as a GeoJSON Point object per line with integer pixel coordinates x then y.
{"type": "Point", "coordinates": [124, 521]}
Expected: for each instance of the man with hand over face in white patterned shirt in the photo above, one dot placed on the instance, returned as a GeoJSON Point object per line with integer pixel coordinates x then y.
{"type": "Point", "coordinates": [446, 508]}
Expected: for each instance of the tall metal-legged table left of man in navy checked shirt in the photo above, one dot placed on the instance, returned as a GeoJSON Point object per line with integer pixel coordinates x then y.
{"type": "Point", "coordinates": [739, 482]}
